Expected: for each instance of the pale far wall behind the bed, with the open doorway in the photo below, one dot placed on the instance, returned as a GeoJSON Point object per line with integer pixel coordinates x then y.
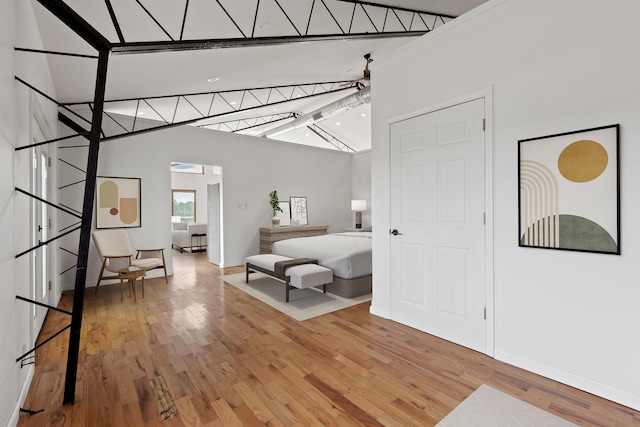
{"type": "Point", "coordinates": [252, 167]}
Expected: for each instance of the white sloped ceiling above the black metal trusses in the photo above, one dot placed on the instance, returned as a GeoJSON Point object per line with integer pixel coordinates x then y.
{"type": "Point", "coordinates": [186, 72]}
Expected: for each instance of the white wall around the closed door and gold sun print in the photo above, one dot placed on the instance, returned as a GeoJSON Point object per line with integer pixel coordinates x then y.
{"type": "Point", "coordinates": [553, 67]}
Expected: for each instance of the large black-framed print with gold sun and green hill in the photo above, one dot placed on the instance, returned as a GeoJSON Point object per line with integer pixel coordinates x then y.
{"type": "Point", "coordinates": [569, 195]}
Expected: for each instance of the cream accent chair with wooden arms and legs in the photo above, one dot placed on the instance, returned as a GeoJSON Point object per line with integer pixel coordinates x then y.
{"type": "Point", "coordinates": [116, 253]}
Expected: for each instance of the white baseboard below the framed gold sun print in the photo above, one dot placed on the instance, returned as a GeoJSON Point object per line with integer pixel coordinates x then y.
{"type": "Point", "coordinates": [594, 387]}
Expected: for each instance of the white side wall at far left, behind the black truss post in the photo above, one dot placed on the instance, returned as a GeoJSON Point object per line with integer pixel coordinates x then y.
{"type": "Point", "coordinates": [17, 28]}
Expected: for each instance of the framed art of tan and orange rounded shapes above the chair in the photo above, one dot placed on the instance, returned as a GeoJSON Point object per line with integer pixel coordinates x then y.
{"type": "Point", "coordinates": [118, 202]}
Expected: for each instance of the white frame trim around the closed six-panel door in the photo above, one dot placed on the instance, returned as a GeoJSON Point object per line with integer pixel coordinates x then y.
{"type": "Point", "coordinates": [487, 95]}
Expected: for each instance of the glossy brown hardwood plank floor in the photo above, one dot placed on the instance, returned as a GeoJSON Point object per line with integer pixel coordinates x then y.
{"type": "Point", "coordinates": [199, 352]}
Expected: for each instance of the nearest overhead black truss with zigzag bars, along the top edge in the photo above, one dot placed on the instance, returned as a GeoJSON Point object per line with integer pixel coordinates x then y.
{"type": "Point", "coordinates": [325, 20]}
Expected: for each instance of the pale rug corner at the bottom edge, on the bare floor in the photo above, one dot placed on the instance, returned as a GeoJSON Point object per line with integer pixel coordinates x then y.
{"type": "Point", "coordinates": [488, 407]}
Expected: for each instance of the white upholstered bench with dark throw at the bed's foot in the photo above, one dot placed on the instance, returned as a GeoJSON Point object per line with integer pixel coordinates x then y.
{"type": "Point", "coordinates": [296, 273]}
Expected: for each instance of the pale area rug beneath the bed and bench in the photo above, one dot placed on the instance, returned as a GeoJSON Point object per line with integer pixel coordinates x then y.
{"type": "Point", "coordinates": [303, 303]}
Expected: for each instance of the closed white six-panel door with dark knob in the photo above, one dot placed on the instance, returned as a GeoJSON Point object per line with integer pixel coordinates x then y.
{"type": "Point", "coordinates": [437, 215]}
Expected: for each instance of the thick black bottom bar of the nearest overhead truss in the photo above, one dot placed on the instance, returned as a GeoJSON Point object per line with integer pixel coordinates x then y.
{"type": "Point", "coordinates": [205, 44]}
